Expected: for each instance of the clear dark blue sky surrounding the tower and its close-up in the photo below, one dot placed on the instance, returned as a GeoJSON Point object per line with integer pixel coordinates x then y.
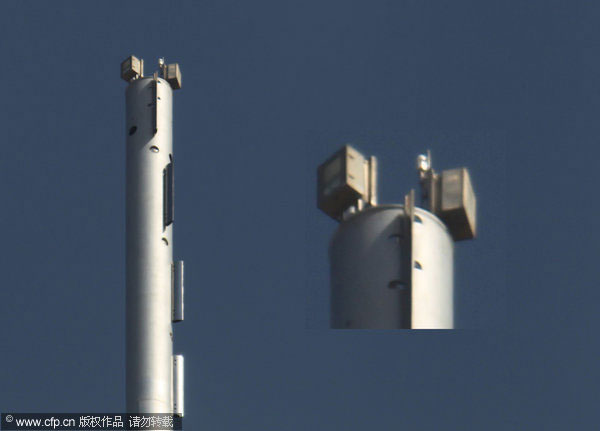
{"type": "Point", "coordinates": [270, 89]}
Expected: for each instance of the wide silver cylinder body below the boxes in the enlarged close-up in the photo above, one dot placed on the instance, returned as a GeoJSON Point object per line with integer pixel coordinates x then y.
{"type": "Point", "coordinates": [370, 258]}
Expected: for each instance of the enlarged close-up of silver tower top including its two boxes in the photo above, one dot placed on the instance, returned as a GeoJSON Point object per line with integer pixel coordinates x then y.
{"type": "Point", "coordinates": [392, 265]}
